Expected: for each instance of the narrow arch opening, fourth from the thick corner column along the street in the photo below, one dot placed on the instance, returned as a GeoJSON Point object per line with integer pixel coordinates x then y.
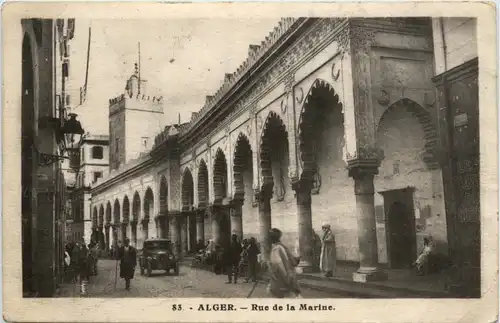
{"type": "Point", "coordinates": [221, 225]}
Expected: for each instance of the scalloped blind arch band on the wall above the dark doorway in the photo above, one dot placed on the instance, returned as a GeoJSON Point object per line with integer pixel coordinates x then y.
{"type": "Point", "coordinates": [425, 120]}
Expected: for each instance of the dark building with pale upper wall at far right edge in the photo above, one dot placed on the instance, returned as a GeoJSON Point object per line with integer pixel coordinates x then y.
{"type": "Point", "coordinates": [457, 109]}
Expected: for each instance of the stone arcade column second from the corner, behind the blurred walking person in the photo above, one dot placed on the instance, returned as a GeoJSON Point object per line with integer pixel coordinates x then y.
{"type": "Point", "coordinates": [302, 190]}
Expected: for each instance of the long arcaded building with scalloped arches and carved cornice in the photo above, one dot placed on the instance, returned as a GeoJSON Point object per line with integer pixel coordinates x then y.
{"type": "Point", "coordinates": [327, 121]}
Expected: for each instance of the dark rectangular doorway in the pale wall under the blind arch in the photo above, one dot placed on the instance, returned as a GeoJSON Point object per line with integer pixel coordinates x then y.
{"type": "Point", "coordinates": [400, 228]}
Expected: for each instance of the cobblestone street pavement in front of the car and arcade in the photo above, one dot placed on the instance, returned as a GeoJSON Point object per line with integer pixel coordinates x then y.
{"type": "Point", "coordinates": [190, 283]}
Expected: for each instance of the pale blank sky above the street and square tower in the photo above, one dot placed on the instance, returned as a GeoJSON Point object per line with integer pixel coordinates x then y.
{"type": "Point", "coordinates": [183, 59]}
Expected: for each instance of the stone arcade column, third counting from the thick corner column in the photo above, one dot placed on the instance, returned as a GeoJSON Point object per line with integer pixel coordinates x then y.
{"type": "Point", "coordinates": [263, 198]}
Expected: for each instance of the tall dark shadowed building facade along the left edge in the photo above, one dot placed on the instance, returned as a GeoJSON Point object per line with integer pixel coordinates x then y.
{"type": "Point", "coordinates": [43, 183]}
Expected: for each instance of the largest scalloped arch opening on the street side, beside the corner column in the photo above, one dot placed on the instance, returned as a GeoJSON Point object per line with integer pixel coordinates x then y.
{"type": "Point", "coordinates": [324, 175]}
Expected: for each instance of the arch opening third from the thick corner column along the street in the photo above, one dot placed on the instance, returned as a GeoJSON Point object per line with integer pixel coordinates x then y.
{"type": "Point", "coordinates": [243, 179]}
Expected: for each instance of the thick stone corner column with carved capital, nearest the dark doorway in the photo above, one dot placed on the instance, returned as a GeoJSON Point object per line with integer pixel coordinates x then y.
{"type": "Point", "coordinates": [367, 233]}
